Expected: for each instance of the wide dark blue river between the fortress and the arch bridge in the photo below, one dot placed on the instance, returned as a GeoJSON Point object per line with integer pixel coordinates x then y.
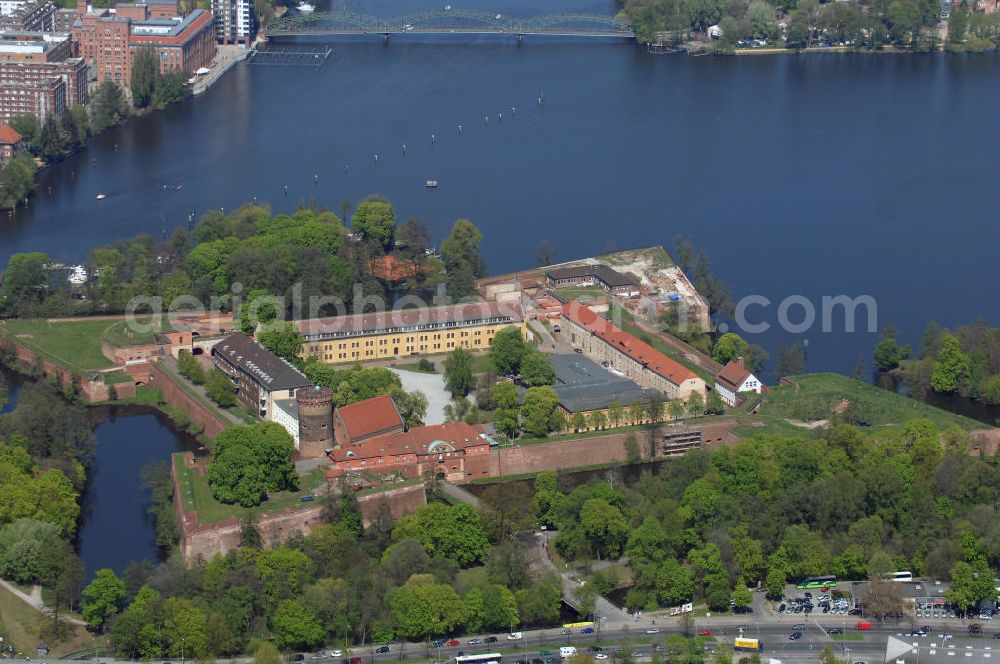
{"type": "Point", "coordinates": [800, 175]}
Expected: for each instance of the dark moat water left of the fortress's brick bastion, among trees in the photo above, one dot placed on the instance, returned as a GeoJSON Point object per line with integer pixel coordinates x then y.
{"type": "Point", "coordinates": [116, 527]}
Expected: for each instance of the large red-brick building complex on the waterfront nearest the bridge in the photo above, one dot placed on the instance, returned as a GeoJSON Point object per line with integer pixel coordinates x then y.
{"type": "Point", "coordinates": [109, 38]}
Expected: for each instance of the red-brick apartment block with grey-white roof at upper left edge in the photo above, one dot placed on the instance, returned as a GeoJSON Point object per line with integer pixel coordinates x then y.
{"type": "Point", "coordinates": [38, 75]}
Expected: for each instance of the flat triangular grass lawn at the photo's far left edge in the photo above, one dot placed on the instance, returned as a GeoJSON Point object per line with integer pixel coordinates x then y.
{"type": "Point", "coordinates": [72, 344]}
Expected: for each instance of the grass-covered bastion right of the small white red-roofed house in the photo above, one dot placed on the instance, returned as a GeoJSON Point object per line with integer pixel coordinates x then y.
{"type": "Point", "coordinates": [819, 394]}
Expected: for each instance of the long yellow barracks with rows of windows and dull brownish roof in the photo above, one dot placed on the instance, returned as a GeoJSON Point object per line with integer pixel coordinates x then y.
{"type": "Point", "coordinates": [400, 333]}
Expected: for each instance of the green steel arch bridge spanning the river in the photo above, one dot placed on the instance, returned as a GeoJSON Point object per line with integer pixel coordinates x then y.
{"type": "Point", "coordinates": [448, 21]}
